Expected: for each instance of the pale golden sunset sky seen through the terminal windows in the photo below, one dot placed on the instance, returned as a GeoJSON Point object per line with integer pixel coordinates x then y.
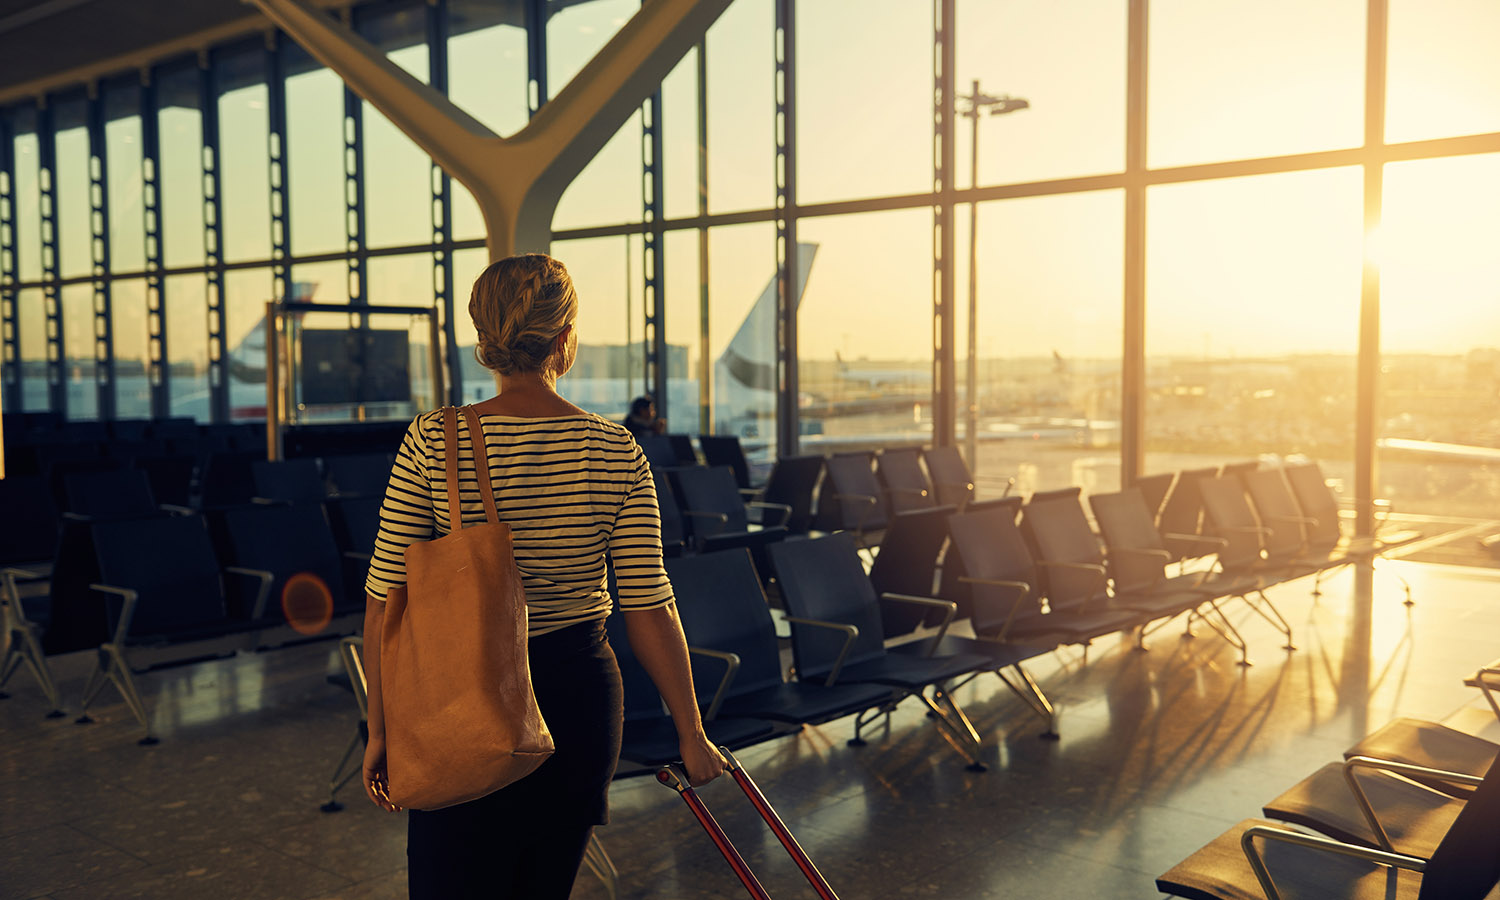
{"type": "Point", "coordinates": [1240, 268]}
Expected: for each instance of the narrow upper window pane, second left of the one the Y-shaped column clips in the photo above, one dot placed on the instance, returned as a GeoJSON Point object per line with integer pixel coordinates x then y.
{"type": "Point", "coordinates": [181, 172]}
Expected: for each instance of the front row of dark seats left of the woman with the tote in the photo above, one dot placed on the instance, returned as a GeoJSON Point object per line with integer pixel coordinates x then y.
{"type": "Point", "coordinates": [152, 587]}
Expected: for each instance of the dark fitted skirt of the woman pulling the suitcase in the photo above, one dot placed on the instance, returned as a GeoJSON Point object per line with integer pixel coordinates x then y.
{"type": "Point", "coordinates": [529, 839]}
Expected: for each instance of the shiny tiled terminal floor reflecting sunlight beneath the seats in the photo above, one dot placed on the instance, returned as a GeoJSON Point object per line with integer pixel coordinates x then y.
{"type": "Point", "coordinates": [1160, 752]}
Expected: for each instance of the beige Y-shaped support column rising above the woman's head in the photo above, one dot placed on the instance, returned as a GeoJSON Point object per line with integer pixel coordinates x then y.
{"type": "Point", "coordinates": [517, 181]}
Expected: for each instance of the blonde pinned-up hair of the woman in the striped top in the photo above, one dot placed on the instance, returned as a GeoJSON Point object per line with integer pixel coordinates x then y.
{"type": "Point", "coordinates": [520, 307]}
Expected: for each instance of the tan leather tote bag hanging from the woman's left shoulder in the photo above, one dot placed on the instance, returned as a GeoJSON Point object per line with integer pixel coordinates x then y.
{"type": "Point", "coordinates": [461, 719]}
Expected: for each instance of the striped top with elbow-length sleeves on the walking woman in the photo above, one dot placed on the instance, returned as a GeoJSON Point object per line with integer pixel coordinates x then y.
{"type": "Point", "coordinates": [571, 490]}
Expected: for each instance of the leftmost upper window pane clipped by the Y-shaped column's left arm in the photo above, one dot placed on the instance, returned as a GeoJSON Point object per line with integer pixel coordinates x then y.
{"type": "Point", "coordinates": [314, 155]}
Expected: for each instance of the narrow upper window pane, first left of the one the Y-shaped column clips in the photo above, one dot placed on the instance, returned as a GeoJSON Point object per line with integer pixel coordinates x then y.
{"type": "Point", "coordinates": [244, 155]}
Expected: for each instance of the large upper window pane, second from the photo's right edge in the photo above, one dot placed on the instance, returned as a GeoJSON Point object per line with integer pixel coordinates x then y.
{"type": "Point", "coordinates": [1244, 79]}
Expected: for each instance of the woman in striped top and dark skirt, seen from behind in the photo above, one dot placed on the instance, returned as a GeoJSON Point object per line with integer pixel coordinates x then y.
{"type": "Point", "coordinates": [574, 488]}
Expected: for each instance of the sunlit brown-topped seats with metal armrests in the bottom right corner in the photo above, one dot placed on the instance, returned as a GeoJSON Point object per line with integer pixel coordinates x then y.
{"type": "Point", "coordinates": [1409, 812]}
